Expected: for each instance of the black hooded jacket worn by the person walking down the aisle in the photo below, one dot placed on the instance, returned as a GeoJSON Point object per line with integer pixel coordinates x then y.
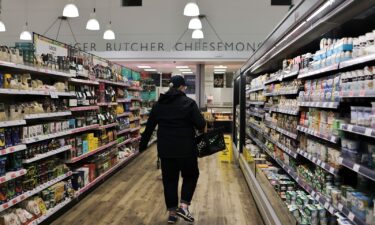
{"type": "Point", "coordinates": [177, 117]}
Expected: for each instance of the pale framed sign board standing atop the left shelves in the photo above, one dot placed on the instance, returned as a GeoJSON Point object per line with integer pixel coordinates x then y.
{"type": "Point", "coordinates": [45, 45]}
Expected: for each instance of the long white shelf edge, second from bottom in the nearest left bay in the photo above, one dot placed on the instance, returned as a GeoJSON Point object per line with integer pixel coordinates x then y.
{"type": "Point", "coordinates": [28, 194]}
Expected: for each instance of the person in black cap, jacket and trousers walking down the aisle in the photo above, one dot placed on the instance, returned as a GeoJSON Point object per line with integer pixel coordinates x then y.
{"type": "Point", "coordinates": [177, 117]}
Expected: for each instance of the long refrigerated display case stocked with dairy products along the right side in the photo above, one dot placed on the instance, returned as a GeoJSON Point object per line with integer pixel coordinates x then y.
{"type": "Point", "coordinates": [309, 151]}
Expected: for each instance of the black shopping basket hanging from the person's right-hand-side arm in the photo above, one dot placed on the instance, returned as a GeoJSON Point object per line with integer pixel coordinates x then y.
{"type": "Point", "coordinates": [210, 143]}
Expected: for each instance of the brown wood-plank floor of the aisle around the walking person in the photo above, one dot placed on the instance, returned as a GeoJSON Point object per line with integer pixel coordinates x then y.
{"type": "Point", "coordinates": [134, 196]}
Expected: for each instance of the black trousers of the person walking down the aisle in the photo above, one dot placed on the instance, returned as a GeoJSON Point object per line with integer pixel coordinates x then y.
{"type": "Point", "coordinates": [171, 168]}
